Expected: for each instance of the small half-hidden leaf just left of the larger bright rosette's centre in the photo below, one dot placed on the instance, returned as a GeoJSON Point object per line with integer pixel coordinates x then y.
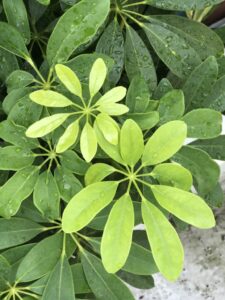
{"type": "Point", "coordinates": [98, 172]}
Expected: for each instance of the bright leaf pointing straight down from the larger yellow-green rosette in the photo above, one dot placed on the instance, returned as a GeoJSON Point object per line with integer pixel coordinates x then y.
{"type": "Point", "coordinates": [117, 235]}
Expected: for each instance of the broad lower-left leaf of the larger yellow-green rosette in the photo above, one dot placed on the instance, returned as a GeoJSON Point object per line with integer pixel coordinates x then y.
{"type": "Point", "coordinates": [85, 205]}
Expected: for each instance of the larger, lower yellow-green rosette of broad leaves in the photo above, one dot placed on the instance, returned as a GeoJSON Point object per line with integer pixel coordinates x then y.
{"type": "Point", "coordinates": [141, 166]}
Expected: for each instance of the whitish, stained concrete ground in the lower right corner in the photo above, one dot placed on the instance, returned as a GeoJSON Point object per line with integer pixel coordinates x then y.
{"type": "Point", "coordinates": [203, 277]}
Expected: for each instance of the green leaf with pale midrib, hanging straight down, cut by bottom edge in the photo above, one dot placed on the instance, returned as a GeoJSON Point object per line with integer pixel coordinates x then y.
{"type": "Point", "coordinates": [60, 283]}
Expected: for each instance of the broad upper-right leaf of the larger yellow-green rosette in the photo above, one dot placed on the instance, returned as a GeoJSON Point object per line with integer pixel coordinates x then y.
{"type": "Point", "coordinates": [164, 143]}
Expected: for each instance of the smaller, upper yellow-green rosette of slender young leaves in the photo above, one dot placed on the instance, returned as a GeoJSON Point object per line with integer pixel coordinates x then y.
{"type": "Point", "coordinates": [100, 108]}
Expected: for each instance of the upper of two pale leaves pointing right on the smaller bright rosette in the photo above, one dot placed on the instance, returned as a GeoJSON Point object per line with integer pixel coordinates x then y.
{"type": "Point", "coordinates": [114, 95]}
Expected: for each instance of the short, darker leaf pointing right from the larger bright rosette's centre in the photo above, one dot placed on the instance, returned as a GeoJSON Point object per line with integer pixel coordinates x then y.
{"type": "Point", "coordinates": [173, 175]}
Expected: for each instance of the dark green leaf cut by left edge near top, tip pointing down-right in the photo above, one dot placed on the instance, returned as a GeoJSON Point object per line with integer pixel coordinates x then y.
{"type": "Point", "coordinates": [12, 41]}
